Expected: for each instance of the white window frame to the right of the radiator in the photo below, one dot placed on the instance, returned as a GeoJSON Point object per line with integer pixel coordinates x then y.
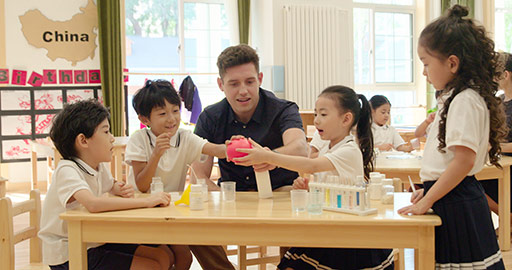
{"type": "Point", "coordinates": [387, 8]}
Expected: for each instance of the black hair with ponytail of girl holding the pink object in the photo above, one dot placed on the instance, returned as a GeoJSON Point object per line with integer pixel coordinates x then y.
{"type": "Point", "coordinates": [348, 100]}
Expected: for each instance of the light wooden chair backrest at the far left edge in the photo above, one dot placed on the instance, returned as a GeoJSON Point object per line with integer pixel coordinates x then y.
{"type": "Point", "coordinates": [7, 237]}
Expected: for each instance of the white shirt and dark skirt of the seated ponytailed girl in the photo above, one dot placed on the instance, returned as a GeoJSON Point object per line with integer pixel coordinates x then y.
{"type": "Point", "coordinates": [348, 161]}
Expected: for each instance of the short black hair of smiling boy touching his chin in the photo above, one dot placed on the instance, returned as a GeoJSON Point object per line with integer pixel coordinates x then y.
{"type": "Point", "coordinates": [153, 94]}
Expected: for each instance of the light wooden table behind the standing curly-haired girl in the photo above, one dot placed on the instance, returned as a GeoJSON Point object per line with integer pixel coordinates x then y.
{"type": "Point", "coordinates": [402, 168]}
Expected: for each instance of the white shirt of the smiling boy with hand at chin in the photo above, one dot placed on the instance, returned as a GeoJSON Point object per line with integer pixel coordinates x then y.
{"type": "Point", "coordinates": [186, 147]}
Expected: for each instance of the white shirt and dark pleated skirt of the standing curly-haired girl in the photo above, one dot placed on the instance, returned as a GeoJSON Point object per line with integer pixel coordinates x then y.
{"type": "Point", "coordinates": [466, 238]}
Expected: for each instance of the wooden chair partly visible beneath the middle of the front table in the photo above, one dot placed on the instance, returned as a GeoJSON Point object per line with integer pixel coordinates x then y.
{"type": "Point", "coordinates": [262, 260]}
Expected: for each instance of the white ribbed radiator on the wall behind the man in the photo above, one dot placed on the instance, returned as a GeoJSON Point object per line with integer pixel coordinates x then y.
{"type": "Point", "coordinates": [317, 52]}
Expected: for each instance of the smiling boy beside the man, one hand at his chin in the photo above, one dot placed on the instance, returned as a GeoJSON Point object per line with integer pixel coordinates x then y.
{"type": "Point", "coordinates": [164, 150]}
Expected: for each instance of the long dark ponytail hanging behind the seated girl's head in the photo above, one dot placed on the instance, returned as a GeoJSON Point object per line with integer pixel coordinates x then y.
{"type": "Point", "coordinates": [364, 135]}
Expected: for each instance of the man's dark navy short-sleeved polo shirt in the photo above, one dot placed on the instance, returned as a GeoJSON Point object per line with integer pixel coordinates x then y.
{"type": "Point", "coordinates": [272, 117]}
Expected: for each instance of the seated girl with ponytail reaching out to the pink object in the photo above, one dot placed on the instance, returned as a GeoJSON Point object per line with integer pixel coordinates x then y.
{"type": "Point", "coordinates": [337, 110]}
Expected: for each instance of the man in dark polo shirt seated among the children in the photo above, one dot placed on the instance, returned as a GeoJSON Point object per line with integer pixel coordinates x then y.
{"type": "Point", "coordinates": [252, 112]}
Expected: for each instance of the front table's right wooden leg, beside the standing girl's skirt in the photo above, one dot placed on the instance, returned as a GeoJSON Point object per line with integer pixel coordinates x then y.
{"type": "Point", "coordinates": [425, 254]}
